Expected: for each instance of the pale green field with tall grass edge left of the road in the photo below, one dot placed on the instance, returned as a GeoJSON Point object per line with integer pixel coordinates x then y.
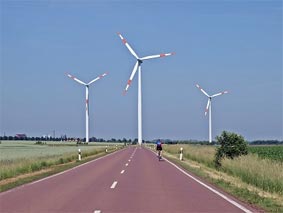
{"type": "Point", "coordinates": [23, 157]}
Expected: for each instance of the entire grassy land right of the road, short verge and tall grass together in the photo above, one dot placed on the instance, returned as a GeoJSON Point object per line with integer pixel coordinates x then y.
{"type": "Point", "coordinates": [256, 178]}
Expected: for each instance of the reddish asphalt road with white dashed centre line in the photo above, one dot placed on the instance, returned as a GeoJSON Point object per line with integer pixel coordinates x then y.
{"type": "Point", "coordinates": [130, 180]}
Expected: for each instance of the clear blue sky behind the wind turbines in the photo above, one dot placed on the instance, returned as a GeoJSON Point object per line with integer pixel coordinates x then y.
{"type": "Point", "coordinates": [233, 45]}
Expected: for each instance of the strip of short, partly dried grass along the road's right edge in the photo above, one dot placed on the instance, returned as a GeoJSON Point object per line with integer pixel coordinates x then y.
{"type": "Point", "coordinates": [254, 196]}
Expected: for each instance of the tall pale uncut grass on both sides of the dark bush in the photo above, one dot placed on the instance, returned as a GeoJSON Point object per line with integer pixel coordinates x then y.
{"type": "Point", "coordinates": [264, 173]}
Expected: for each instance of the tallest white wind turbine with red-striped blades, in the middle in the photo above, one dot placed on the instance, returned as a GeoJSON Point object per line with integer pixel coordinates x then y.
{"type": "Point", "coordinates": [138, 67]}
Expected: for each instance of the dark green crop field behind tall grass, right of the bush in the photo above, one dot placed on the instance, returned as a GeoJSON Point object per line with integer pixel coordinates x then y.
{"type": "Point", "coordinates": [268, 152]}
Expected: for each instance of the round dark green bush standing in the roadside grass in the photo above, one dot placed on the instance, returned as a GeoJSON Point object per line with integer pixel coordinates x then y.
{"type": "Point", "coordinates": [232, 145]}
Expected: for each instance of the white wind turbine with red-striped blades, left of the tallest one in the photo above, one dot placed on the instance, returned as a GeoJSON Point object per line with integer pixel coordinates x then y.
{"type": "Point", "coordinates": [86, 100]}
